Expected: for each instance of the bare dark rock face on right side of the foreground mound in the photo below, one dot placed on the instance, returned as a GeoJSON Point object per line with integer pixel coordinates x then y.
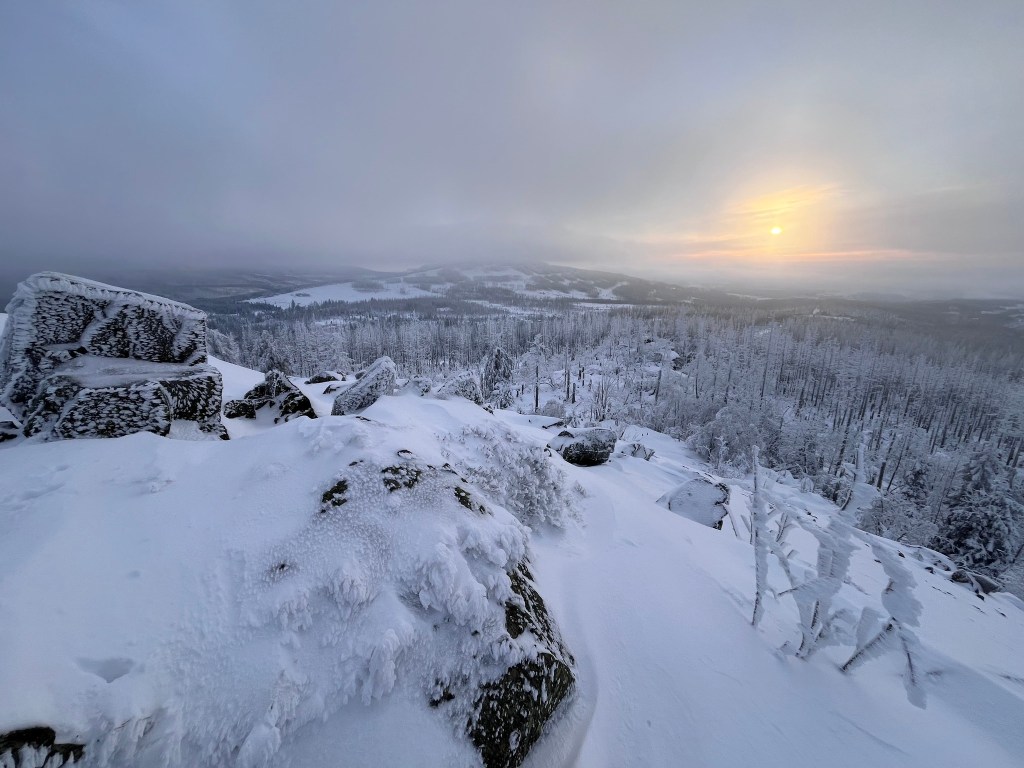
{"type": "Point", "coordinates": [510, 714]}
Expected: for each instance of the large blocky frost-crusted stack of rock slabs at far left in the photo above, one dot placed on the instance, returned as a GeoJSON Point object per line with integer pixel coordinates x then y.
{"type": "Point", "coordinates": [80, 359]}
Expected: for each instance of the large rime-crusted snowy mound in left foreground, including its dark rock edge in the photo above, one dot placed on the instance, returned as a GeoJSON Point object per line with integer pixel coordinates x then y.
{"type": "Point", "coordinates": [211, 600]}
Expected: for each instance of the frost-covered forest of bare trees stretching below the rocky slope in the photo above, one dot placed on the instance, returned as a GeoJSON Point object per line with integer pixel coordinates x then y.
{"type": "Point", "coordinates": [934, 422]}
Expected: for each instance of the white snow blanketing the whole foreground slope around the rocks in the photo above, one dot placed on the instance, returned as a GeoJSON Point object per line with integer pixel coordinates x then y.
{"type": "Point", "coordinates": [139, 591]}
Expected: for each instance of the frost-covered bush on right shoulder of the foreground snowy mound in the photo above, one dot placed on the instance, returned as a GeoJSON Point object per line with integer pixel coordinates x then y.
{"type": "Point", "coordinates": [521, 476]}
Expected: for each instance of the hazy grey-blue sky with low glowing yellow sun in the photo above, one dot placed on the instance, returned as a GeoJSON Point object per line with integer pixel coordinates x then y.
{"type": "Point", "coordinates": [851, 147]}
